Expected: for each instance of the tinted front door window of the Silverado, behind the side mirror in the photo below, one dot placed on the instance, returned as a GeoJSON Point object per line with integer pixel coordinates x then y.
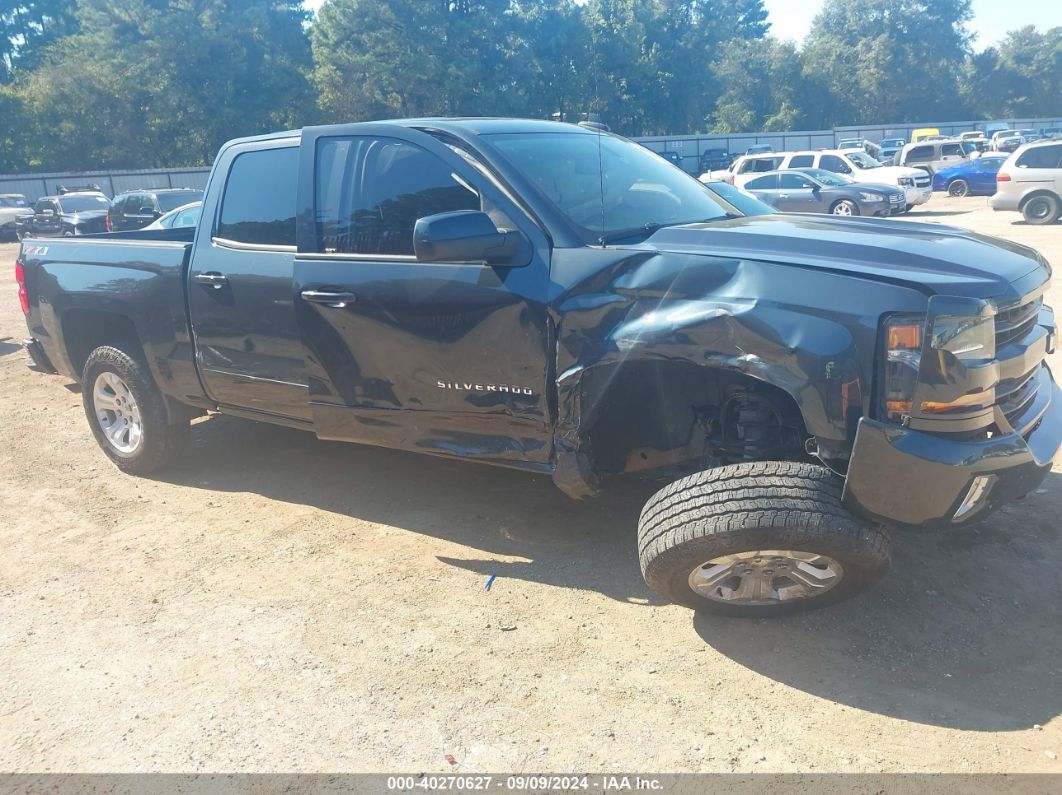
{"type": "Point", "coordinates": [370, 194]}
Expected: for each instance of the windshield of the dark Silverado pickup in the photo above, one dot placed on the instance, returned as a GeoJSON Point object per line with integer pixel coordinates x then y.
{"type": "Point", "coordinates": [606, 185]}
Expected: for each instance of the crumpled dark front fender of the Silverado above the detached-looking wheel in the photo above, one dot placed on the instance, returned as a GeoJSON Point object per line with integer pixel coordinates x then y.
{"type": "Point", "coordinates": [808, 333]}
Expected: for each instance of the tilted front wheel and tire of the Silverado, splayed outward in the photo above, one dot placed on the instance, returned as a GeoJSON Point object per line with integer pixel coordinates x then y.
{"type": "Point", "coordinates": [758, 540]}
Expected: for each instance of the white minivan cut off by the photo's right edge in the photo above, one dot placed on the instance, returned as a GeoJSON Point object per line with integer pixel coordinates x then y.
{"type": "Point", "coordinates": [1031, 182]}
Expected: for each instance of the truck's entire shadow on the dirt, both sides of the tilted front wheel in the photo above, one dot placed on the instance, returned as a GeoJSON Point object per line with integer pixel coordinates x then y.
{"type": "Point", "coordinates": [963, 634]}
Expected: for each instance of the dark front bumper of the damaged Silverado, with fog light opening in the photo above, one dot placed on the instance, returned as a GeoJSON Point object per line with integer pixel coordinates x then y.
{"type": "Point", "coordinates": [912, 478]}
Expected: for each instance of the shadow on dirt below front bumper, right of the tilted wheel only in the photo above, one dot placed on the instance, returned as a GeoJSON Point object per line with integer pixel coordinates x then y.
{"type": "Point", "coordinates": [964, 632]}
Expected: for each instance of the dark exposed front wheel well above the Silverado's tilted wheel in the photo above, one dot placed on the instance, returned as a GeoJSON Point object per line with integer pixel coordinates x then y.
{"type": "Point", "coordinates": [679, 417]}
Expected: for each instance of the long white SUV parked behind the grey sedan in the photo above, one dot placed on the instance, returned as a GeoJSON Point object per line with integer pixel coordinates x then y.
{"type": "Point", "coordinates": [855, 165]}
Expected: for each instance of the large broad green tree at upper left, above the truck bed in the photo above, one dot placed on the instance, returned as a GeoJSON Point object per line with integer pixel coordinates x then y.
{"type": "Point", "coordinates": [166, 82]}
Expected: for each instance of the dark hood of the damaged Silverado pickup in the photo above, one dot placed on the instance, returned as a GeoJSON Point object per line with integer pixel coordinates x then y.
{"type": "Point", "coordinates": [931, 258]}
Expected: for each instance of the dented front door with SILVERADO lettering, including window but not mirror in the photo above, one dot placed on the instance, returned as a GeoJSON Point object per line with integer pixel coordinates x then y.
{"type": "Point", "coordinates": [451, 358]}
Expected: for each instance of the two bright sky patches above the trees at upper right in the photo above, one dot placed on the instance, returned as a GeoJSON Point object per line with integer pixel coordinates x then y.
{"type": "Point", "coordinates": [791, 20]}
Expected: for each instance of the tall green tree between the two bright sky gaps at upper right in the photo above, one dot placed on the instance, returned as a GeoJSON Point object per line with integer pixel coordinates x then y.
{"type": "Point", "coordinates": [889, 60]}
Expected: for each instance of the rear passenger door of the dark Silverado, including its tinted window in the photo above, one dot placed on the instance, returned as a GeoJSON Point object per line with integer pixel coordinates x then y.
{"type": "Point", "coordinates": [248, 345]}
